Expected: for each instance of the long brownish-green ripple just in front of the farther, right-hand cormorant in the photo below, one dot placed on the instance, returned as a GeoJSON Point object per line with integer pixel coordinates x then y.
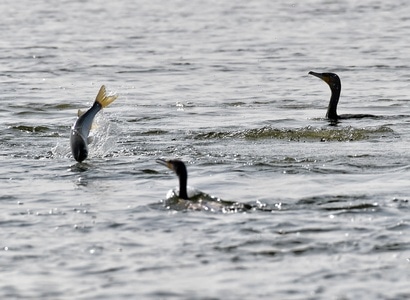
{"type": "Point", "coordinates": [301, 134]}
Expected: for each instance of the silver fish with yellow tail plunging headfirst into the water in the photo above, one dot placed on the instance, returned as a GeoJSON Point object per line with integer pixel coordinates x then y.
{"type": "Point", "coordinates": [79, 139]}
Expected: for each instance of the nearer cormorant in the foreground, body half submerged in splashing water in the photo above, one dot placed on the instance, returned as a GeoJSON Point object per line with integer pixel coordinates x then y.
{"type": "Point", "coordinates": [199, 201]}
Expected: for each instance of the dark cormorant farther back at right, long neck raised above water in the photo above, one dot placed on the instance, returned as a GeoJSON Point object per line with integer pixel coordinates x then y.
{"type": "Point", "coordinates": [335, 86]}
